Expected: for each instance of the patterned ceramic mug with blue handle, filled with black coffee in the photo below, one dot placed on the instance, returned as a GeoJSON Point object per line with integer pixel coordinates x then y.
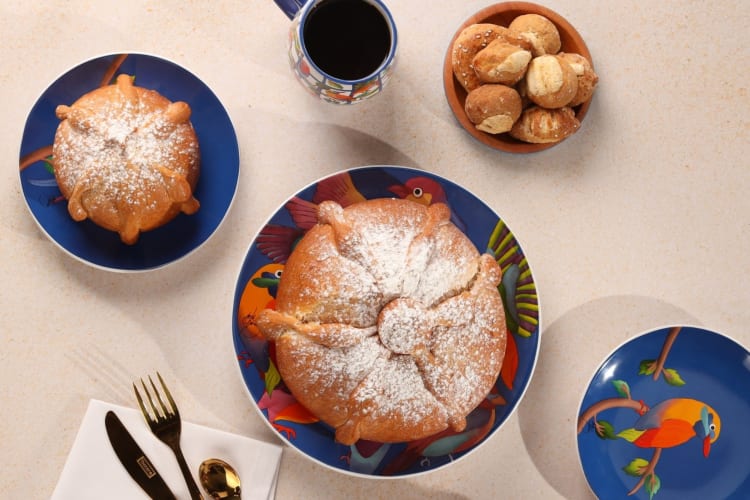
{"type": "Point", "coordinates": [342, 51]}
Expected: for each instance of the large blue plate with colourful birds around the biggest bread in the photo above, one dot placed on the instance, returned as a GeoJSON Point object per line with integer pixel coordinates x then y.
{"type": "Point", "coordinates": [256, 288]}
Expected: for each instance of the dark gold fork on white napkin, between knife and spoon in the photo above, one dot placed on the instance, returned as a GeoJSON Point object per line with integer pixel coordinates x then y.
{"type": "Point", "coordinates": [167, 426]}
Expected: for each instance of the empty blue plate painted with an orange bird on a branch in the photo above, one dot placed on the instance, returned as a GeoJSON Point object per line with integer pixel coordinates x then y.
{"type": "Point", "coordinates": [666, 417]}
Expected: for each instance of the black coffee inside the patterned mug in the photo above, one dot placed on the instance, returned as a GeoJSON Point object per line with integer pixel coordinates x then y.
{"type": "Point", "coordinates": [347, 39]}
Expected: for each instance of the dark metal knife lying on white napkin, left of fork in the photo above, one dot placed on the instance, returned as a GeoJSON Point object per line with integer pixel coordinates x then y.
{"type": "Point", "coordinates": [134, 460]}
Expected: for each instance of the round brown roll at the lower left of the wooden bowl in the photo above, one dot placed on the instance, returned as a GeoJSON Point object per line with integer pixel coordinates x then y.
{"type": "Point", "coordinates": [493, 108]}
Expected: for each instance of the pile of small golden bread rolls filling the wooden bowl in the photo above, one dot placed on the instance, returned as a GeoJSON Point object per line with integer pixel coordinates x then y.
{"type": "Point", "coordinates": [519, 82]}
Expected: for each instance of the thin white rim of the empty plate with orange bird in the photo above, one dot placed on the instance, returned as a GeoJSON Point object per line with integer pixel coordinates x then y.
{"type": "Point", "coordinates": [607, 357]}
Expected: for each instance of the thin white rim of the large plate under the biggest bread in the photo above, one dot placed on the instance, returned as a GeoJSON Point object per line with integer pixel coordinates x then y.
{"type": "Point", "coordinates": [234, 333]}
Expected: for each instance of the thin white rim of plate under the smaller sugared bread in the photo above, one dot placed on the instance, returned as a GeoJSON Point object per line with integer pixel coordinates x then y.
{"type": "Point", "coordinates": [140, 269]}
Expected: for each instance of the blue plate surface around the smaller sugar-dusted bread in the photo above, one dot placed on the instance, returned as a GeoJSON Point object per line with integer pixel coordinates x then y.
{"type": "Point", "coordinates": [215, 190]}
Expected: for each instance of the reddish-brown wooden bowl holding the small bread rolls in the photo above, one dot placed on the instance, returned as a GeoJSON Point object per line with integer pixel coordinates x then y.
{"type": "Point", "coordinates": [502, 14]}
